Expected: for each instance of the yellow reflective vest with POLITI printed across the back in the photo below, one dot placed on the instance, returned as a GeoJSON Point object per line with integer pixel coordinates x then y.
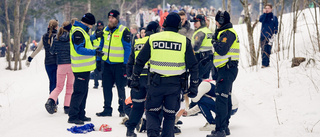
{"type": "Point", "coordinates": [167, 53]}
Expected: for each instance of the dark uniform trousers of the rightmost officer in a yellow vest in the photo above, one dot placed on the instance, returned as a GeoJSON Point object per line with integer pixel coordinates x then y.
{"type": "Point", "coordinates": [226, 77]}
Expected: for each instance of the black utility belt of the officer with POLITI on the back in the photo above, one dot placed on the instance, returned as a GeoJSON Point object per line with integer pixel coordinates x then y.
{"type": "Point", "coordinates": [156, 79]}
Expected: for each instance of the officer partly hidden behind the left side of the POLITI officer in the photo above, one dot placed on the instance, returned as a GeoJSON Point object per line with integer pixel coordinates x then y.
{"type": "Point", "coordinates": [139, 97]}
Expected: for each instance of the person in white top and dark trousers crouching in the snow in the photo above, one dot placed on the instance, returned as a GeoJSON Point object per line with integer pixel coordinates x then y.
{"type": "Point", "coordinates": [205, 101]}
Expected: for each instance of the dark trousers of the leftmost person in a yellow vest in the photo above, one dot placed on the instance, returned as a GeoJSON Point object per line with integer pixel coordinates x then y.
{"type": "Point", "coordinates": [79, 95]}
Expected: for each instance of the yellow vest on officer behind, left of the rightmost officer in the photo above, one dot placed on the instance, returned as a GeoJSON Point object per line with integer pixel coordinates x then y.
{"type": "Point", "coordinates": [206, 43]}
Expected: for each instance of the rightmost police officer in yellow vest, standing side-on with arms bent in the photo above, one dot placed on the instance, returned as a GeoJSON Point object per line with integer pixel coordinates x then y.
{"type": "Point", "coordinates": [226, 44]}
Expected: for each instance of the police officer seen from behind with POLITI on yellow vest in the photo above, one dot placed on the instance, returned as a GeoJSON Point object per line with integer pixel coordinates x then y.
{"type": "Point", "coordinates": [170, 55]}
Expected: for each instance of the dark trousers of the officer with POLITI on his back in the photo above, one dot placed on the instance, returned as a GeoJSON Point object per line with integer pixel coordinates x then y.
{"type": "Point", "coordinates": [163, 95]}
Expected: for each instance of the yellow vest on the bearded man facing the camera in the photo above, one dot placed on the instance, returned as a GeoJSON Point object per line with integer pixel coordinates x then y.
{"type": "Point", "coordinates": [113, 47]}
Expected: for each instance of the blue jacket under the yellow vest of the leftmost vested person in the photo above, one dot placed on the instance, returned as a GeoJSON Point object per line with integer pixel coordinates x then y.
{"type": "Point", "coordinates": [80, 49]}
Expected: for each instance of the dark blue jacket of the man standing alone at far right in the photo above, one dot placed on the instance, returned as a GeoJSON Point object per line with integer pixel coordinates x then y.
{"type": "Point", "coordinates": [269, 25]}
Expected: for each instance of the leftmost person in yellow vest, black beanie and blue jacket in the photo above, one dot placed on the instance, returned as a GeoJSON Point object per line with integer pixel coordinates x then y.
{"type": "Point", "coordinates": [83, 60]}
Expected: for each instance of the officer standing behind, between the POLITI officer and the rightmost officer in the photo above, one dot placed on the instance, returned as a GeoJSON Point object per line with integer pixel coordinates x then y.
{"type": "Point", "coordinates": [201, 42]}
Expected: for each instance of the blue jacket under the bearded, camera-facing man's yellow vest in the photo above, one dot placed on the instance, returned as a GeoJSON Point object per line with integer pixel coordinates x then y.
{"type": "Point", "coordinates": [126, 45]}
